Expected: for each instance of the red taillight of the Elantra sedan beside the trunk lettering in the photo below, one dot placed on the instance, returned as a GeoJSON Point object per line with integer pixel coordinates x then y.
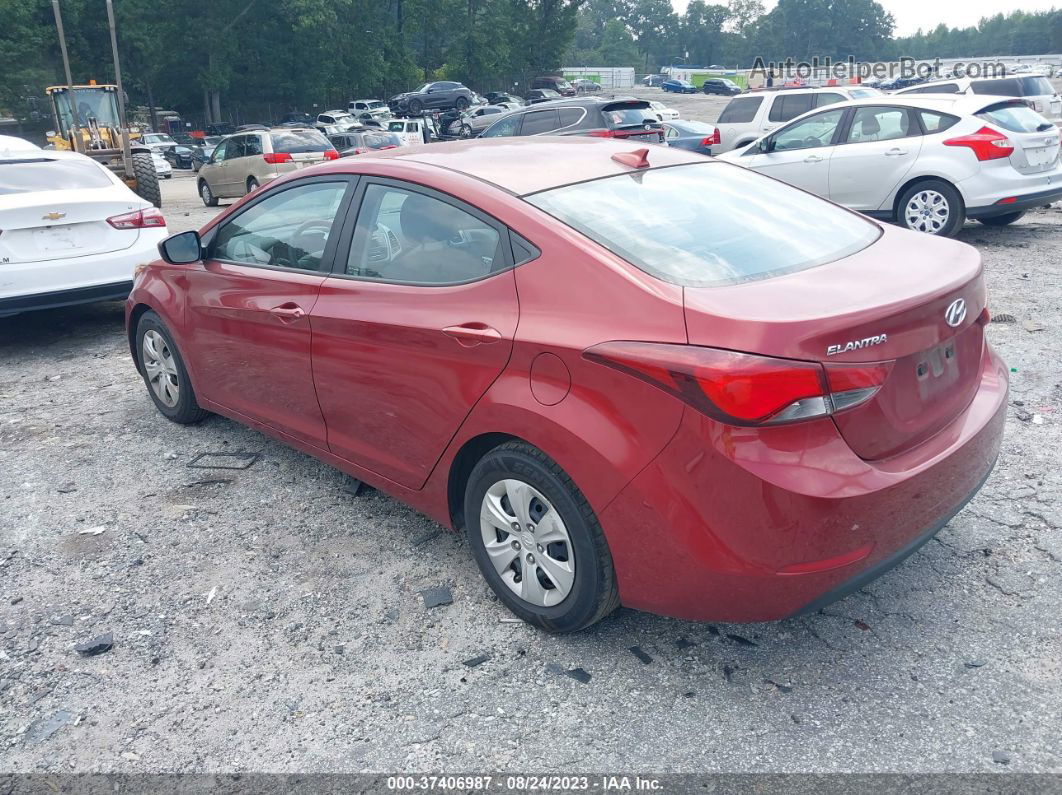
{"type": "Point", "coordinates": [744, 389]}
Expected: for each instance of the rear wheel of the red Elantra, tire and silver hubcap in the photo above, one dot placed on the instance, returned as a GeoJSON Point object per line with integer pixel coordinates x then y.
{"type": "Point", "coordinates": [537, 541]}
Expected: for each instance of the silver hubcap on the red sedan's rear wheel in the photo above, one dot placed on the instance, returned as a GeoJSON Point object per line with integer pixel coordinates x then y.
{"type": "Point", "coordinates": [527, 543]}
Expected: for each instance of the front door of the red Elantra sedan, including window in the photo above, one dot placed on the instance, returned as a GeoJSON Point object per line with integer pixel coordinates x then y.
{"type": "Point", "coordinates": [249, 306]}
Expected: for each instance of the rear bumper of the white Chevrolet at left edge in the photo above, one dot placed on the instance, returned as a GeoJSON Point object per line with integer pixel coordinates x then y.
{"type": "Point", "coordinates": [59, 283]}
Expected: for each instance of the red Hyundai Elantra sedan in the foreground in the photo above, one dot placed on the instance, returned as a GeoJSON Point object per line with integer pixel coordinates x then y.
{"type": "Point", "coordinates": [632, 377]}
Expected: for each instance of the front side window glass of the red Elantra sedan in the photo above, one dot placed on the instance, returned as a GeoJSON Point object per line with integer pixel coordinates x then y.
{"type": "Point", "coordinates": [288, 229]}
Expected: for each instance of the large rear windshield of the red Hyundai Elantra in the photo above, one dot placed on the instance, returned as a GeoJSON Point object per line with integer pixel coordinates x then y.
{"type": "Point", "coordinates": [709, 224]}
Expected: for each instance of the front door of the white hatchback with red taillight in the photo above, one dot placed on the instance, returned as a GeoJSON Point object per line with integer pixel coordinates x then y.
{"type": "Point", "coordinates": [800, 153]}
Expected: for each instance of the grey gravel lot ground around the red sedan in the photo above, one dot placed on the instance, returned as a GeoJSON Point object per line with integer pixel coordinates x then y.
{"type": "Point", "coordinates": [268, 620]}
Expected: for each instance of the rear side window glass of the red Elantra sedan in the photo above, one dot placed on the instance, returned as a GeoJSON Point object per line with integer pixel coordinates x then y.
{"type": "Point", "coordinates": [408, 237]}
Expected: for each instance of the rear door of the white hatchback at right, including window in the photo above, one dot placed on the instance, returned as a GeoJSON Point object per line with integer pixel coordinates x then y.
{"type": "Point", "coordinates": [879, 147]}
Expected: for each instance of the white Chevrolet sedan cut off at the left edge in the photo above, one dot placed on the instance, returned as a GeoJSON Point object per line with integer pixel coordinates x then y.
{"type": "Point", "coordinates": [74, 233]}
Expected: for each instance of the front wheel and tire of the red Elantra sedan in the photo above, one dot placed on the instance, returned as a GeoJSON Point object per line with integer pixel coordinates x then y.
{"type": "Point", "coordinates": [164, 372]}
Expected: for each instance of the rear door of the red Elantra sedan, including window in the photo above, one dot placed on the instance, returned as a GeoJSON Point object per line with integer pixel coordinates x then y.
{"type": "Point", "coordinates": [413, 329]}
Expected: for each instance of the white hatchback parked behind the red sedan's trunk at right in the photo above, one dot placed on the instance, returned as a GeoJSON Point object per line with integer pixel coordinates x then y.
{"type": "Point", "coordinates": [926, 163]}
